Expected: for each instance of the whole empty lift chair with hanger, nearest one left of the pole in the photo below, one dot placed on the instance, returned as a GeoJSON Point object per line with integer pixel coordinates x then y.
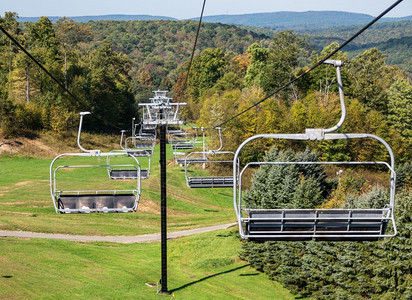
{"type": "Point", "coordinates": [88, 201]}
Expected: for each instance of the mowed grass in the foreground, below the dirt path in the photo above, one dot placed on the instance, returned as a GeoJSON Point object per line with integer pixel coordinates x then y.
{"type": "Point", "coordinates": [205, 266]}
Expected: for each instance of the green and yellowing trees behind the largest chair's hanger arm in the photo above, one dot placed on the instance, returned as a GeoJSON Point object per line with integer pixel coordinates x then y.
{"type": "Point", "coordinates": [221, 84]}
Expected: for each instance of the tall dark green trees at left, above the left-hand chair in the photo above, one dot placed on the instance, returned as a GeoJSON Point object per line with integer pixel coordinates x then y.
{"type": "Point", "coordinates": [98, 77]}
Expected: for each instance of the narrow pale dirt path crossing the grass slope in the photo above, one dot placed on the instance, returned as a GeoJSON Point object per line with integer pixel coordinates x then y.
{"type": "Point", "coordinates": [155, 237]}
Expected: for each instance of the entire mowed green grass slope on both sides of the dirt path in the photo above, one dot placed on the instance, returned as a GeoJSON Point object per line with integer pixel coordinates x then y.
{"type": "Point", "coordinates": [204, 266]}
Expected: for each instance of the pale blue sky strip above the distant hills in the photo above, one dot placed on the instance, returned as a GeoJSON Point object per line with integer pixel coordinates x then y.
{"type": "Point", "coordinates": [181, 9]}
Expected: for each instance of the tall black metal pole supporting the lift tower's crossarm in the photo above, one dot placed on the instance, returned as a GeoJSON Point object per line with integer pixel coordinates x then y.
{"type": "Point", "coordinates": [163, 212]}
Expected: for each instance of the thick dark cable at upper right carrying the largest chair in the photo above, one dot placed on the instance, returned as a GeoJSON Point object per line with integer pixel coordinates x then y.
{"type": "Point", "coordinates": [315, 65]}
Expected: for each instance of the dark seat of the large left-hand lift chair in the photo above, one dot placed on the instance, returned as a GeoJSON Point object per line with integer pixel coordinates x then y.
{"type": "Point", "coordinates": [86, 203]}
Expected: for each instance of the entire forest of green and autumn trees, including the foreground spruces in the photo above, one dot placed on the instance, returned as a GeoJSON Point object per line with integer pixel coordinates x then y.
{"type": "Point", "coordinates": [110, 68]}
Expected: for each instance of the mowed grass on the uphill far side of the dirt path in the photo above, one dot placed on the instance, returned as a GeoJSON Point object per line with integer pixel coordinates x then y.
{"type": "Point", "coordinates": [26, 204]}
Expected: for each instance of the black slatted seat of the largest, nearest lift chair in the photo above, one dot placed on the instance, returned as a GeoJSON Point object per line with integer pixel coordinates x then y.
{"type": "Point", "coordinates": [326, 224]}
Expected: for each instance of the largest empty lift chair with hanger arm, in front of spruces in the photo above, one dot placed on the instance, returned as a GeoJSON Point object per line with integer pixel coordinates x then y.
{"type": "Point", "coordinates": [318, 224]}
